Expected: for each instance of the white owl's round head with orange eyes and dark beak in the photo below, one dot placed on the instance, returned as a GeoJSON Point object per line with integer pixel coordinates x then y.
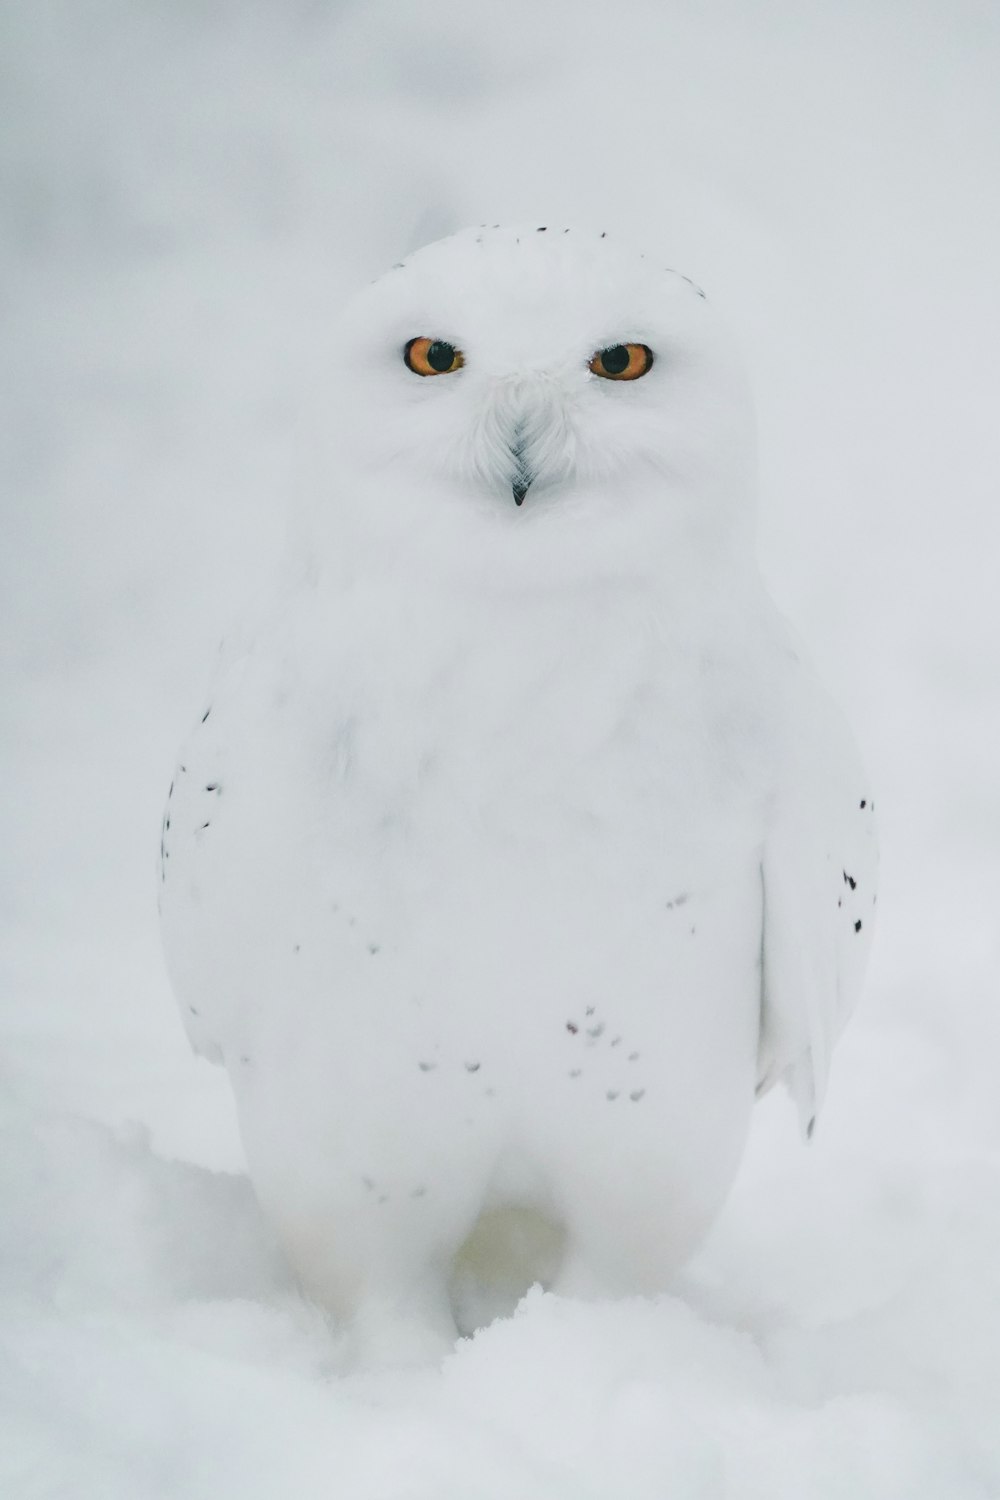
{"type": "Point", "coordinates": [543, 394]}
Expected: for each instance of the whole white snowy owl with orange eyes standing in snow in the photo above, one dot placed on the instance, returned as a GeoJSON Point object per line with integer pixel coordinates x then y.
{"type": "Point", "coordinates": [516, 848]}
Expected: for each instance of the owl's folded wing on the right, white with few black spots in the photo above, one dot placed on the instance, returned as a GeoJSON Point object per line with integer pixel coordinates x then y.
{"type": "Point", "coordinates": [819, 893]}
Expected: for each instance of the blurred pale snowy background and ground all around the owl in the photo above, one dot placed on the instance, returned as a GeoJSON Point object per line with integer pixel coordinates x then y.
{"type": "Point", "coordinates": [188, 194]}
